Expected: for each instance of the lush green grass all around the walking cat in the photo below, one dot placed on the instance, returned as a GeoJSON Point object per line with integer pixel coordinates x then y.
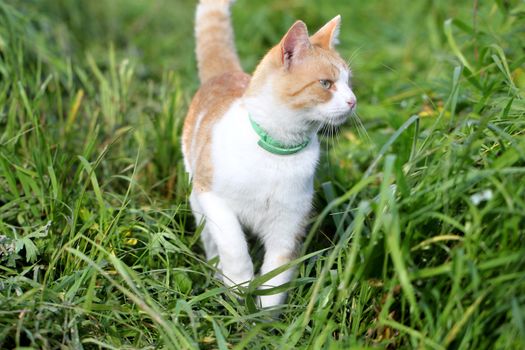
{"type": "Point", "coordinates": [98, 248]}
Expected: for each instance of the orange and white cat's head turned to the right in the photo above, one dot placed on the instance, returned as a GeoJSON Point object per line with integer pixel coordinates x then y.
{"type": "Point", "coordinates": [306, 76]}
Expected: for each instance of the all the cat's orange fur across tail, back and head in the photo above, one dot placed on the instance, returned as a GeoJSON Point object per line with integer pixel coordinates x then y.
{"type": "Point", "coordinates": [296, 82]}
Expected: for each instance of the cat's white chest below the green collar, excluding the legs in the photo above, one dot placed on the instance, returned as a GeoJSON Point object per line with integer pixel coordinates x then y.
{"type": "Point", "coordinates": [252, 176]}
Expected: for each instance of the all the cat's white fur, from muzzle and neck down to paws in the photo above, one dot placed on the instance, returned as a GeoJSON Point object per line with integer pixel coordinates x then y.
{"type": "Point", "coordinates": [267, 193]}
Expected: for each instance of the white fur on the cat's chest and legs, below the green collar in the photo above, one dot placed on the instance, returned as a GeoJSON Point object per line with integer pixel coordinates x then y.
{"type": "Point", "coordinates": [270, 194]}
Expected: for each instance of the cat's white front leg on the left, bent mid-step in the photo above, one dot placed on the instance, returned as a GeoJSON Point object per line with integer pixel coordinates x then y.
{"type": "Point", "coordinates": [225, 230]}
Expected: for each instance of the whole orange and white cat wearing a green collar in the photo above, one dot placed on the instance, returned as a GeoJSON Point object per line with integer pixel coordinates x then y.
{"type": "Point", "coordinates": [250, 143]}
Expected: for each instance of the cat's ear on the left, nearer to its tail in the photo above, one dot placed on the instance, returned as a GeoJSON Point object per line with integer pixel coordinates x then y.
{"type": "Point", "coordinates": [294, 44]}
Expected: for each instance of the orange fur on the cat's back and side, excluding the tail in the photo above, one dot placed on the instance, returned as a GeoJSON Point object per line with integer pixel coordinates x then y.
{"type": "Point", "coordinates": [210, 103]}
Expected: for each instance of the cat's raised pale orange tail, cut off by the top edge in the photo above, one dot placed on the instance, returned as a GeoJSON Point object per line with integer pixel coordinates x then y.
{"type": "Point", "coordinates": [215, 49]}
